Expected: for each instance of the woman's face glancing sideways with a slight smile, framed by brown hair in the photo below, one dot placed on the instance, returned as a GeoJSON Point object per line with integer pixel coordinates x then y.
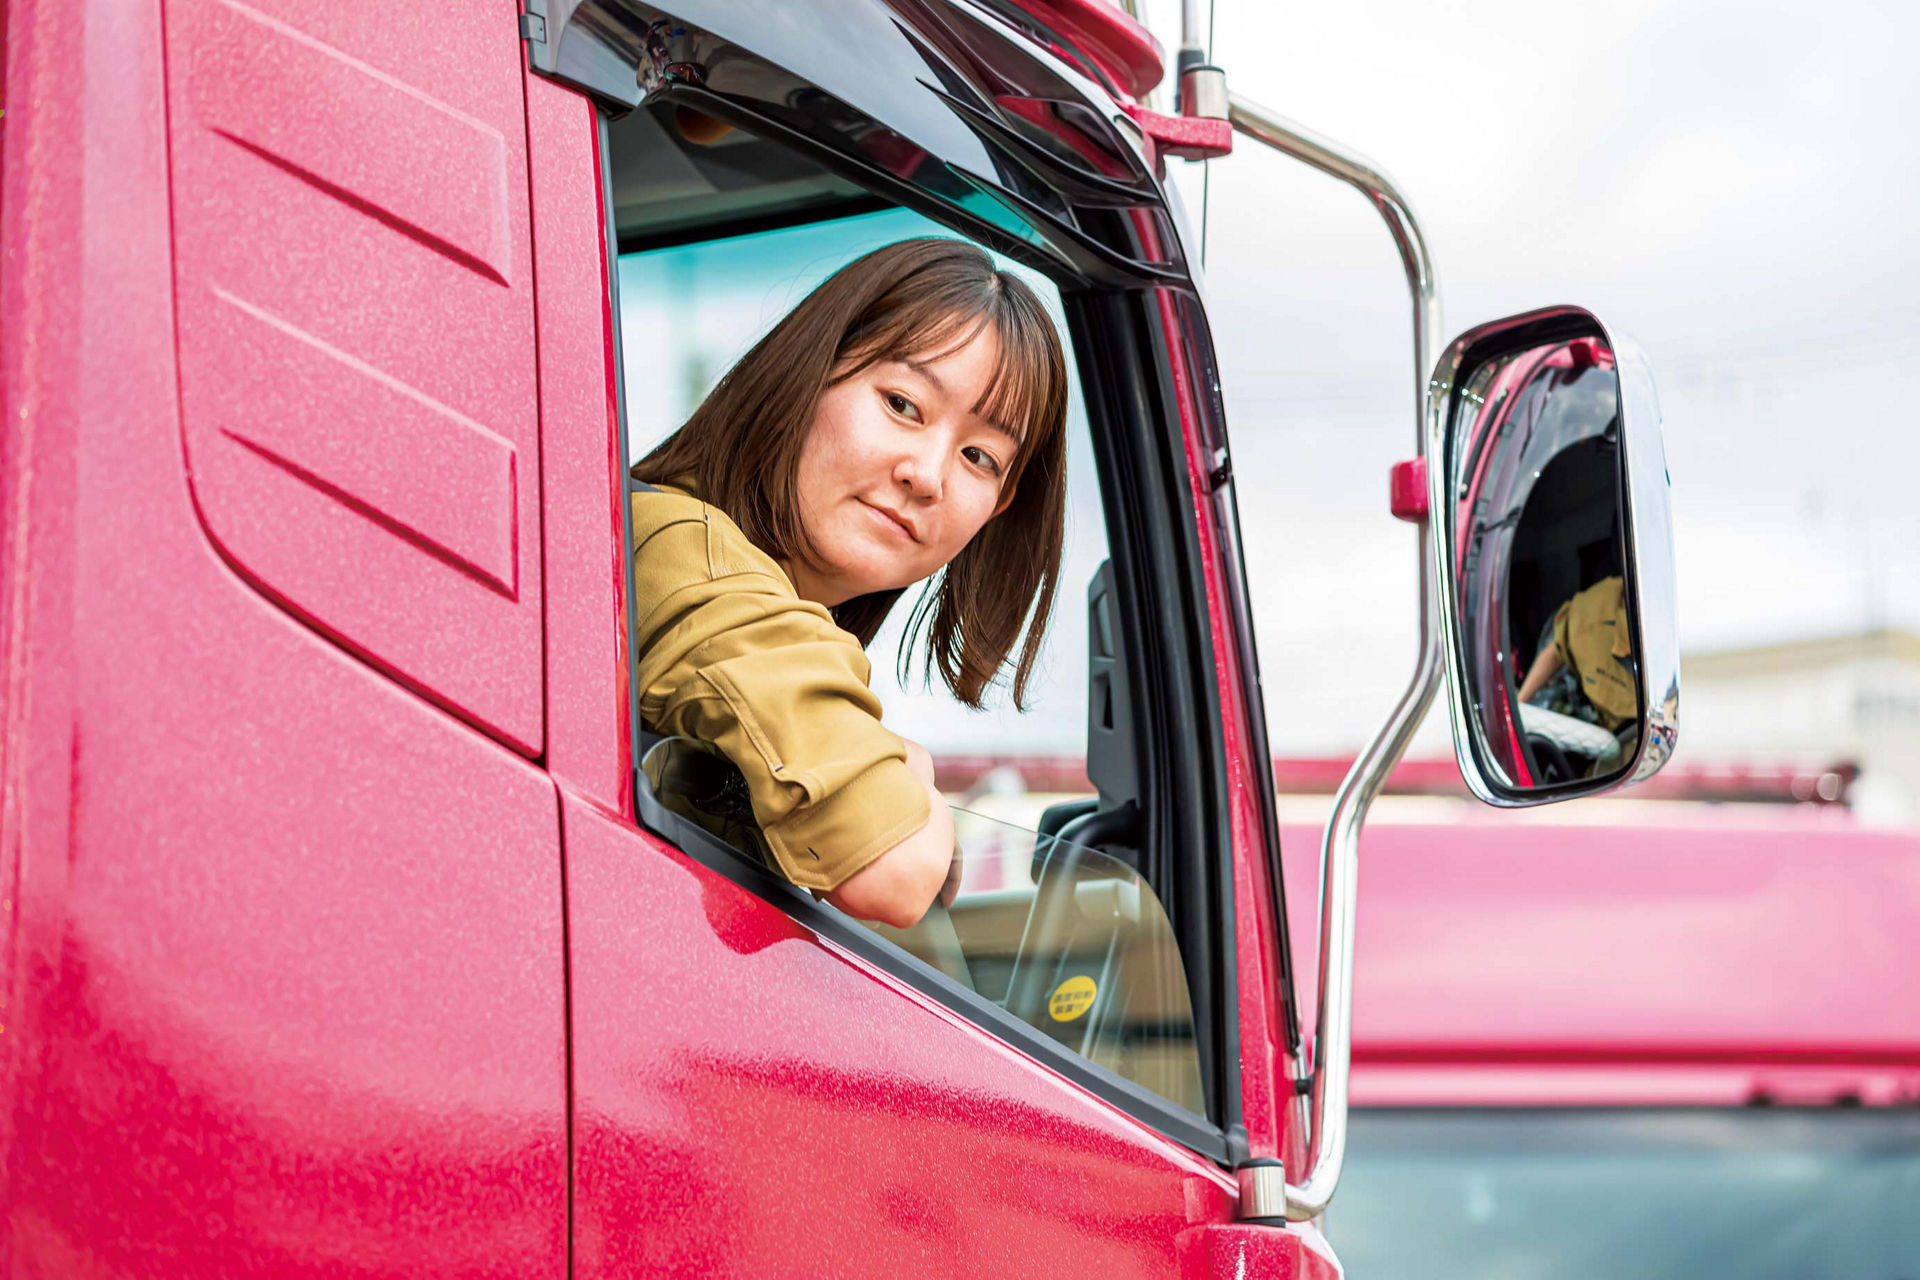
{"type": "Point", "coordinates": [898, 473]}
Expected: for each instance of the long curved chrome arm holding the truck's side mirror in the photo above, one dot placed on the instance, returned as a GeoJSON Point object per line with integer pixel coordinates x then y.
{"type": "Point", "coordinates": [1264, 1189]}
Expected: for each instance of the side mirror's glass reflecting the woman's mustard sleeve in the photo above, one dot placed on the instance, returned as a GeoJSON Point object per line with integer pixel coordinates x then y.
{"type": "Point", "coordinates": [1545, 594]}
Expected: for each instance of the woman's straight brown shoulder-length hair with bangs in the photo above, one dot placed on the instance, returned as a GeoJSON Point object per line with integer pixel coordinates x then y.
{"type": "Point", "coordinates": [905, 300]}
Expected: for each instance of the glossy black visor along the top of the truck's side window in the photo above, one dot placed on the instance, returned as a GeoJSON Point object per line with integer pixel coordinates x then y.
{"type": "Point", "coordinates": [946, 107]}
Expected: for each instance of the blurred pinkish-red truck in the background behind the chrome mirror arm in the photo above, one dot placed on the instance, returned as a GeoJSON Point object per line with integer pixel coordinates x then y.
{"type": "Point", "coordinates": [1662, 1051]}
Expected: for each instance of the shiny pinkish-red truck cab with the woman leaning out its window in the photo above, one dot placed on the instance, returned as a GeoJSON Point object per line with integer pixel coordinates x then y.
{"type": "Point", "coordinates": [347, 926]}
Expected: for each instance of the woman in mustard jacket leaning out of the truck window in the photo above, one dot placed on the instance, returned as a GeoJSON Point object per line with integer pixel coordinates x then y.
{"type": "Point", "coordinates": [905, 421]}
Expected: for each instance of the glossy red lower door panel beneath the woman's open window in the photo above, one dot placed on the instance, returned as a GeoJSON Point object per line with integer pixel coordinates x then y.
{"type": "Point", "coordinates": [750, 1101]}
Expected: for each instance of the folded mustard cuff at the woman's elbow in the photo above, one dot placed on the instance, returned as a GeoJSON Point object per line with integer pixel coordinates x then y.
{"type": "Point", "coordinates": [825, 843]}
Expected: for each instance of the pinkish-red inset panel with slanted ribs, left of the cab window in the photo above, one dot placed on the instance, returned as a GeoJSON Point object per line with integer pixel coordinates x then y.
{"type": "Point", "coordinates": [356, 314]}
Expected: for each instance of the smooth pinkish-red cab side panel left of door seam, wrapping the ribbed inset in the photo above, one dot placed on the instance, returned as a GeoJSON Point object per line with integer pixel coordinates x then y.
{"type": "Point", "coordinates": [287, 982]}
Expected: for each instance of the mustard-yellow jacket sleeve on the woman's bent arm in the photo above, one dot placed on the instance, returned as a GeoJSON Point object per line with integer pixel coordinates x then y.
{"type": "Point", "coordinates": [727, 653]}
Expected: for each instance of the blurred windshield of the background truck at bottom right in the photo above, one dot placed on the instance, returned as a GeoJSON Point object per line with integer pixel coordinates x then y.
{"type": "Point", "coordinates": [1658, 1195]}
